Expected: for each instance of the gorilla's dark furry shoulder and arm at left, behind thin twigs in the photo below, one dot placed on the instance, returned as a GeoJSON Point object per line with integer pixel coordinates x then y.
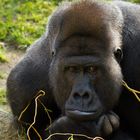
{"type": "Point", "coordinates": [28, 77]}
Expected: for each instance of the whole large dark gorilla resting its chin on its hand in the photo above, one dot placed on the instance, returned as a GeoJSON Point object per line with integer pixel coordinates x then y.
{"type": "Point", "coordinates": [89, 47]}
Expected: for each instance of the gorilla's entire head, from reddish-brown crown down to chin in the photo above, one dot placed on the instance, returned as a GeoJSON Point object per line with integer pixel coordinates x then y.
{"type": "Point", "coordinates": [85, 42]}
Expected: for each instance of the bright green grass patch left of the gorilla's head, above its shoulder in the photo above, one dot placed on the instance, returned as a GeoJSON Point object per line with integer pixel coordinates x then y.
{"type": "Point", "coordinates": [23, 21]}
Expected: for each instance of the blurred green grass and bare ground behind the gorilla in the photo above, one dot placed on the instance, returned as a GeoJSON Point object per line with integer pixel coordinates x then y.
{"type": "Point", "coordinates": [21, 23]}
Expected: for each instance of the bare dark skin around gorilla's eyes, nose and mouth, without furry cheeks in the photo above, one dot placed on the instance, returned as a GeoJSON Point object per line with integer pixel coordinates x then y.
{"type": "Point", "coordinates": [82, 76]}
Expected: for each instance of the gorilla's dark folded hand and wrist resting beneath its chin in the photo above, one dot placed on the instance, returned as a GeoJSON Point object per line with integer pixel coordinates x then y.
{"type": "Point", "coordinates": [104, 126]}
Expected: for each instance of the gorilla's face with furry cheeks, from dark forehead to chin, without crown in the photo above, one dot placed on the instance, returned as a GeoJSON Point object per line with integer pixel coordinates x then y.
{"type": "Point", "coordinates": [86, 77]}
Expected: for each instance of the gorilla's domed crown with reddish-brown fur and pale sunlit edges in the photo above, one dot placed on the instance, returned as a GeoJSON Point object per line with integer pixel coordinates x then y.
{"type": "Point", "coordinates": [86, 18]}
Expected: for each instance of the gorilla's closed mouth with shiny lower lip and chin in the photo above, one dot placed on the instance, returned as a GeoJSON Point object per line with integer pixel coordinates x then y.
{"type": "Point", "coordinates": [82, 115]}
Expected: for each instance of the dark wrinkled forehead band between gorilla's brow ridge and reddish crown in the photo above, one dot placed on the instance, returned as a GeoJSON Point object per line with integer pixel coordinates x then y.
{"type": "Point", "coordinates": [83, 45]}
